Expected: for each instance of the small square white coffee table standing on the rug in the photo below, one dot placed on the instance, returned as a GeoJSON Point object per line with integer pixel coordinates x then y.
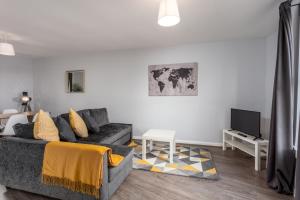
{"type": "Point", "coordinates": [161, 136]}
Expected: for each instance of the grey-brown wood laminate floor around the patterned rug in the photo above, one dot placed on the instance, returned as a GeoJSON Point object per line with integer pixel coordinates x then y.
{"type": "Point", "coordinates": [238, 180]}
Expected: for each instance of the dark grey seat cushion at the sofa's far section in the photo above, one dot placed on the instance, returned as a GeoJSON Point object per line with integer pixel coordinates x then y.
{"type": "Point", "coordinates": [109, 133]}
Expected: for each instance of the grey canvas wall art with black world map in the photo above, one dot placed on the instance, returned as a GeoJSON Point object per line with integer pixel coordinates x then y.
{"type": "Point", "coordinates": [173, 79]}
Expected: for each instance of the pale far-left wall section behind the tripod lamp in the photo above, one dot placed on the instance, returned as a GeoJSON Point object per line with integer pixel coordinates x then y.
{"type": "Point", "coordinates": [16, 76]}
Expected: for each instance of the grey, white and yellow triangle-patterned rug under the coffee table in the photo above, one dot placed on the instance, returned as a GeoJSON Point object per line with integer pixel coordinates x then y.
{"type": "Point", "coordinates": [189, 161]}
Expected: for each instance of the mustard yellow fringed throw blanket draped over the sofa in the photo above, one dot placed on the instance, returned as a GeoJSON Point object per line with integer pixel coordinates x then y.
{"type": "Point", "coordinates": [78, 167]}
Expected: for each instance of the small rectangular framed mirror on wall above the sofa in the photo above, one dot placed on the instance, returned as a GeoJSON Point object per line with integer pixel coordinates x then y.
{"type": "Point", "coordinates": [75, 81]}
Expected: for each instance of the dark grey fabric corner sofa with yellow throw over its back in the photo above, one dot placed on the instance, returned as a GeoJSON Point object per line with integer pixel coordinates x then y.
{"type": "Point", "coordinates": [21, 163]}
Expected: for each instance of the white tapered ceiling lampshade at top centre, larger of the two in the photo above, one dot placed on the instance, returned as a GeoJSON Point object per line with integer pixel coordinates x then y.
{"type": "Point", "coordinates": [168, 13]}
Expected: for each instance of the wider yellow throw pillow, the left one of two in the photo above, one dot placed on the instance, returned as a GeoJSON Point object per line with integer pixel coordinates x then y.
{"type": "Point", "coordinates": [44, 128]}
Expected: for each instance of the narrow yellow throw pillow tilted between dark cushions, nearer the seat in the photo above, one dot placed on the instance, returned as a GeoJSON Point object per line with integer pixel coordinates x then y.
{"type": "Point", "coordinates": [78, 124]}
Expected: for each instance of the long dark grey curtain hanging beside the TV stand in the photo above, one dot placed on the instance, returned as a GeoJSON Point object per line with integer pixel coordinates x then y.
{"type": "Point", "coordinates": [281, 160]}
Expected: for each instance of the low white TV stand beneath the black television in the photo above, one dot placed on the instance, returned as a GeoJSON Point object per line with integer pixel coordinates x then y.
{"type": "Point", "coordinates": [256, 147]}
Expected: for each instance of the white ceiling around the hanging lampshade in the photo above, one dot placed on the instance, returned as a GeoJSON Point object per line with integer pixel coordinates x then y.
{"type": "Point", "coordinates": [55, 27]}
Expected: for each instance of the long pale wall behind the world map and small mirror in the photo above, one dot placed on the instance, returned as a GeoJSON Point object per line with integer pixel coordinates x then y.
{"type": "Point", "coordinates": [231, 74]}
